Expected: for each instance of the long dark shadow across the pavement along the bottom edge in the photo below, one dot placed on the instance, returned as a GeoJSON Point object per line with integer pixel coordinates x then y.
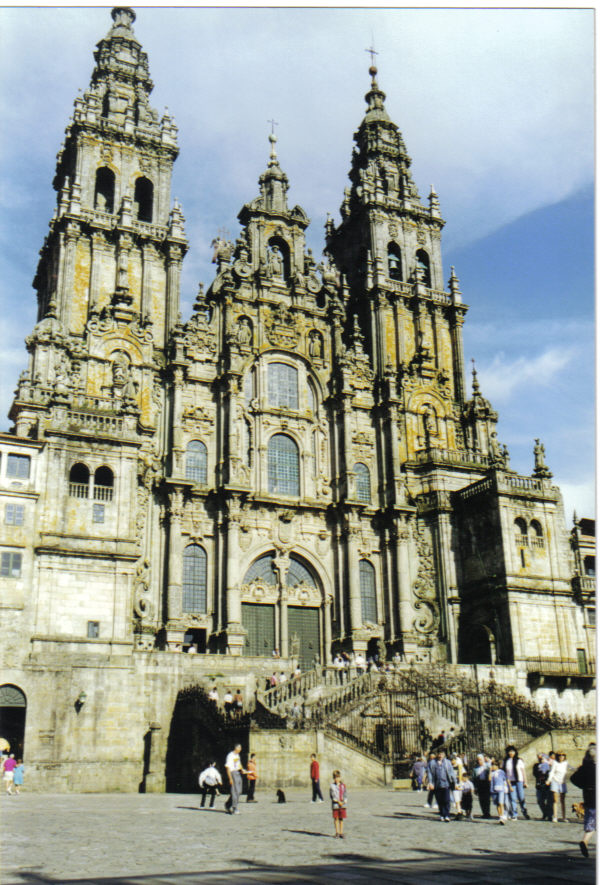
{"type": "Point", "coordinates": [428, 866]}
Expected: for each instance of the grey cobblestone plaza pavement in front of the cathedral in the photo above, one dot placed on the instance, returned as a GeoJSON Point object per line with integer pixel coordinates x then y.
{"type": "Point", "coordinates": [168, 840]}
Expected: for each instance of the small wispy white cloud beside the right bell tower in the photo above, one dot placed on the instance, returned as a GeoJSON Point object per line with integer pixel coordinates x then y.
{"type": "Point", "coordinates": [500, 379]}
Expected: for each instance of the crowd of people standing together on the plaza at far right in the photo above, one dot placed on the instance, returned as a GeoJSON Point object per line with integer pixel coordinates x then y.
{"type": "Point", "coordinates": [502, 784]}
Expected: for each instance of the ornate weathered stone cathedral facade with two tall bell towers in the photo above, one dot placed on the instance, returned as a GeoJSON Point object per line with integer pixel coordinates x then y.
{"type": "Point", "coordinates": [297, 467]}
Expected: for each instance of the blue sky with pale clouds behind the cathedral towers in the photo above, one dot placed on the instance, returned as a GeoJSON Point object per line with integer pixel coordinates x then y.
{"type": "Point", "coordinates": [496, 110]}
